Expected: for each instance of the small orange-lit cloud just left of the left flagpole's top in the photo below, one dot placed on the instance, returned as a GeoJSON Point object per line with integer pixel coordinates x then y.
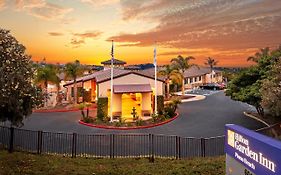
{"type": "Point", "coordinates": [78, 39]}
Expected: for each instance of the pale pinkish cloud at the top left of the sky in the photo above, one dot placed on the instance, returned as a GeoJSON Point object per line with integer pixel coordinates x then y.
{"type": "Point", "coordinates": [42, 9]}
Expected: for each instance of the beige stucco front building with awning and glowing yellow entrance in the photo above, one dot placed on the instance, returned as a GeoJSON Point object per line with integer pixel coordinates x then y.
{"type": "Point", "coordinates": [131, 89]}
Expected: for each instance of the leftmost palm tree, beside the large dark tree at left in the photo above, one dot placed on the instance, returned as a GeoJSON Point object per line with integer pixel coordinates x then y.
{"type": "Point", "coordinates": [44, 75]}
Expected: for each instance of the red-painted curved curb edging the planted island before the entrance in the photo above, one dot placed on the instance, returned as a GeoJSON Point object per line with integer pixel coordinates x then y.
{"type": "Point", "coordinates": [128, 128]}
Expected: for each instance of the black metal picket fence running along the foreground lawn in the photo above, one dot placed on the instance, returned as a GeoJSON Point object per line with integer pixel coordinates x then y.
{"type": "Point", "coordinates": [109, 145]}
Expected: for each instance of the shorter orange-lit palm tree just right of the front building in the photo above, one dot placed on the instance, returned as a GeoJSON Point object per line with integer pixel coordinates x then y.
{"type": "Point", "coordinates": [170, 74]}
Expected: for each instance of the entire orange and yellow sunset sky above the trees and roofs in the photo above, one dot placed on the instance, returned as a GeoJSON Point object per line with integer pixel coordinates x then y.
{"type": "Point", "coordinates": [65, 30]}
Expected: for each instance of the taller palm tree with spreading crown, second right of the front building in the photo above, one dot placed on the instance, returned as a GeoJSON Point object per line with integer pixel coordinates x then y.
{"type": "Point", "coordinates": [182, 64]}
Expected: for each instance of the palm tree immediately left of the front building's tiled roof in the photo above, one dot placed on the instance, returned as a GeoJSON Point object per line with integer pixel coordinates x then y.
{"type": "Point", "coordinates": [73, 71]}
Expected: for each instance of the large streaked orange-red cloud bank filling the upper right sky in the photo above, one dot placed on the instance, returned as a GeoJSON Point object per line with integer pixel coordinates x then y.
{"type": "Point", "coordinates": [227, 24]}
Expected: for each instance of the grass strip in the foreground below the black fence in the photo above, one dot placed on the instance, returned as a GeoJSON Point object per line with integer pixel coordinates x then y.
{"type": "Point", "coordinates": [24, 163]}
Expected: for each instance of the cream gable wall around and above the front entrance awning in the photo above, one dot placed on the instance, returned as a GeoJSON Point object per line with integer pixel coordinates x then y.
{"type": "Point", "coordinates": [127, 80]}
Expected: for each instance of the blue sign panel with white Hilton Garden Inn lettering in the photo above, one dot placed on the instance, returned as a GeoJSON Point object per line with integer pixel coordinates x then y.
{"type": "Point", "coordinates": [258, 153]}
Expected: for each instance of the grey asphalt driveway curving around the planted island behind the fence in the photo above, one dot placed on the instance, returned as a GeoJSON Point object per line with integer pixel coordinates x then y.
{"type": "Point", "coordinates": [204, 118]}
